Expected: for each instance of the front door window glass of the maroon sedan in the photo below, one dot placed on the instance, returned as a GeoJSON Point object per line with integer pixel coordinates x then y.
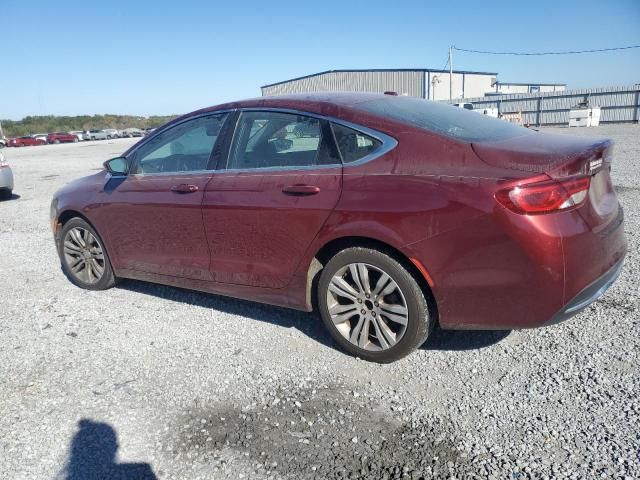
{"type": "Point", "coordinates": [185, 147]}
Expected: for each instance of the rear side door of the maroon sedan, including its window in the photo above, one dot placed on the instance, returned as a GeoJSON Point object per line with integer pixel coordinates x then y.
{"type": "Point", "coordinates": [281, 181]}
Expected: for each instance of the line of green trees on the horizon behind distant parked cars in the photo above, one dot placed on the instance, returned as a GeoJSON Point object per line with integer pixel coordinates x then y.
{"type": "Point", "coordinates": [51, 123]}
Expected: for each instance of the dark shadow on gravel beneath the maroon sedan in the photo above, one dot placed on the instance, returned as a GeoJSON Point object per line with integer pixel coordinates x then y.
{"type": "Point", "coordinates": [307, 323]}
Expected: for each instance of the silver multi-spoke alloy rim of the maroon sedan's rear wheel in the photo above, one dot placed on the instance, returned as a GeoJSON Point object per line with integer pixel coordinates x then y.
{"type": "Point", "coordinates": [367, 306]}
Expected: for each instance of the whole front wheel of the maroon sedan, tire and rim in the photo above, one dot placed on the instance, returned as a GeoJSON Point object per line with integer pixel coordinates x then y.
{"type": "Point", "coordinates": [83, 256]}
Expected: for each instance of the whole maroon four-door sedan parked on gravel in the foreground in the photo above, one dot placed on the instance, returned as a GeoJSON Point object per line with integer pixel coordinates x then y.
{"type": "Point", "coordinates": [389, 215]}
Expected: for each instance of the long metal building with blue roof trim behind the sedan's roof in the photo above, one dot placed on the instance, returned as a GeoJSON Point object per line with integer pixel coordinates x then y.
{"type": "Point", "coordinates": [423, 83]}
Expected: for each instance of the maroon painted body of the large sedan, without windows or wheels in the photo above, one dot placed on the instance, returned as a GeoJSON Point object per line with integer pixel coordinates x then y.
{"type": "Point", "coordinates": [426, 198]}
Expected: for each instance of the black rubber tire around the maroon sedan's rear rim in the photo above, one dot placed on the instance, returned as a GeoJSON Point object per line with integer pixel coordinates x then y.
{"type": "Point", "coordinates": [419, 322]}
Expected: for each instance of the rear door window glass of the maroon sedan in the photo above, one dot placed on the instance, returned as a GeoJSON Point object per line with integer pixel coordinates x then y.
{"type": "Point", "coordinates": [275, 139]}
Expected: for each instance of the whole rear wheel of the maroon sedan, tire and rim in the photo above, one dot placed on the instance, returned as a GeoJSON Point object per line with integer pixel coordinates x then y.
{"type": "Point", "coordinates": [373, 307]}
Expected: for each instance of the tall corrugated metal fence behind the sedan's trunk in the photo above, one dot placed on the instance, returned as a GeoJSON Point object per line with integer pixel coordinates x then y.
{"type": "Point", "coordinates": [617, 104]}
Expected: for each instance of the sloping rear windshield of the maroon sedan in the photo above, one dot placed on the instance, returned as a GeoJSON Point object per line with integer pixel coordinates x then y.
{"type": "Point", "coordinates": [444, 119]}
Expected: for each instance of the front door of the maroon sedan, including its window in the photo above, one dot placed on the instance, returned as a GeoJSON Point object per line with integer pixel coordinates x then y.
{"type": "Point", "coordinates": [154, 216]}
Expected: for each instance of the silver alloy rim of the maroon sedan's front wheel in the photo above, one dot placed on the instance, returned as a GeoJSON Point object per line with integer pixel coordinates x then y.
{"type": "Point", "coordinates": [83, 255]}
